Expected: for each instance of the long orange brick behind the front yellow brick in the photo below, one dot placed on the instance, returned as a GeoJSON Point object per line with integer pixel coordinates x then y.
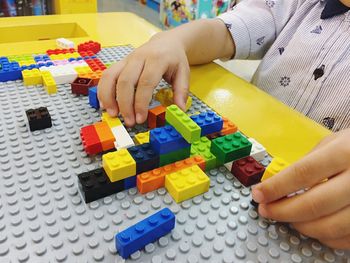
{"type": "Point", "coordinates": [152, 180]}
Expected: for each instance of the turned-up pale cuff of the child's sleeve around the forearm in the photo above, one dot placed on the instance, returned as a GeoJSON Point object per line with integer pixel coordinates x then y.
{"type": "Point", "coordinates": [239, 32]}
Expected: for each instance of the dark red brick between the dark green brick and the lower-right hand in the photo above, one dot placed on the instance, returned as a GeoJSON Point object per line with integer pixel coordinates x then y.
{"type": "Point", "coordinates": [248, 171]}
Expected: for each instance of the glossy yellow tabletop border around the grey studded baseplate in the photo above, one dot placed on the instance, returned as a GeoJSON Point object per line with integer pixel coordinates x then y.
{"type": "Point", "coordinates": [283, 131]}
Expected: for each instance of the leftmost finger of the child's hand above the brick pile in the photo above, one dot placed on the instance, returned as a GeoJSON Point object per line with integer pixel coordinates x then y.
{"type": "Point", "coordinates": [106, 91]}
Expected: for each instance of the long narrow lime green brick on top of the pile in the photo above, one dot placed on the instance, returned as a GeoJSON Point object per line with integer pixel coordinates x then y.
{"type": "Point", "coordinates": [183, 123]}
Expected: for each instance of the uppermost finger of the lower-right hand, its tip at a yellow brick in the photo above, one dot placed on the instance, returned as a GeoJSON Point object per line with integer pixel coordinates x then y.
{"type": "Point", "coordinates": [305, 173]}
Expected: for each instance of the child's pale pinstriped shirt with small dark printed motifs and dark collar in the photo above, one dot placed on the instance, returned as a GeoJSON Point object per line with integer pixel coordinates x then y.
{"type": "Point", "coordinates": [305, 59]}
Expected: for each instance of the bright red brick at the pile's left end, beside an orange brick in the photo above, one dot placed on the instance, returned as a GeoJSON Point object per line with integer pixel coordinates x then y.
{"type": "Point", "coordinates": [91, 141]}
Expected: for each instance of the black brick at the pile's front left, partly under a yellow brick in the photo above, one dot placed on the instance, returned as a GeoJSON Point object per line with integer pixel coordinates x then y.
{"type": "Point", "coordinates": [96, 184]}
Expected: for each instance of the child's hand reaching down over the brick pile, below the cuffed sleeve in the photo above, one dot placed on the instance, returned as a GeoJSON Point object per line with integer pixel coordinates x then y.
{"type": "Point", "coordinates": [127, 86]}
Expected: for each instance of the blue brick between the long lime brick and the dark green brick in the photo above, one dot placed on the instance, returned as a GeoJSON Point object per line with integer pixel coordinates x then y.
{"type": "Point", "coordinates": [209, 122]}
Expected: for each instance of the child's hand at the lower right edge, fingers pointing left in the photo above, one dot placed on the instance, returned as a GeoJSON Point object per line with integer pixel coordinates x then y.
{"type": "Point", "coordinates": [323, 211]}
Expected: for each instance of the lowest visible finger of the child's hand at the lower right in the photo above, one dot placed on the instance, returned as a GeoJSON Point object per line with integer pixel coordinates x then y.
{"type": "Point", "coordinates": [333, 226]}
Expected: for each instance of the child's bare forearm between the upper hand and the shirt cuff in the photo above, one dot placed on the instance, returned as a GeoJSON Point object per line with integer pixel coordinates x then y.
{"type": "Point", "coordinates": [203, 40]}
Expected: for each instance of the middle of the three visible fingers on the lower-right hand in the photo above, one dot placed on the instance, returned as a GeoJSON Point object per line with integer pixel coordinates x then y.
{"type": "Point", "coordinates": [321, 200]}
